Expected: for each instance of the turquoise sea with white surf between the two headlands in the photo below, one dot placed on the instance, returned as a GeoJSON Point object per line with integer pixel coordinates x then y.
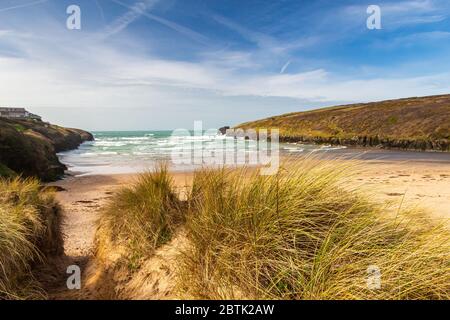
{"type": "Point", "coordinates": [124, 152]}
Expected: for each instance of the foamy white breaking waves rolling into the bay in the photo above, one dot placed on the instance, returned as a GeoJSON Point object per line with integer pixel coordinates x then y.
{"type": "Point", "coordinates": [143, 149]}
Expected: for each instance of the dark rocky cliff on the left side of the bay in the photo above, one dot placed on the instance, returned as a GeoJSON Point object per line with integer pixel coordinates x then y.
{"type": "Point", "coordinates": [29, 147]}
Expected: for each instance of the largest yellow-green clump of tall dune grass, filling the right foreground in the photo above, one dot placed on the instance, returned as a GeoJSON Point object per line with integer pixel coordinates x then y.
{"type": "Point", "coordinates": [303, 234]}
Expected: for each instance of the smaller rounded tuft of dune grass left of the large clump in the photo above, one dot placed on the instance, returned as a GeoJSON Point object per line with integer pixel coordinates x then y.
{"type": "Point", "coordinates": [142, 217]}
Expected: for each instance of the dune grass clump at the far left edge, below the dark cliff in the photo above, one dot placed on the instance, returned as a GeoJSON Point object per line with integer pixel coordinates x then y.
{"type": "Point", "coordinates": [29, 232]}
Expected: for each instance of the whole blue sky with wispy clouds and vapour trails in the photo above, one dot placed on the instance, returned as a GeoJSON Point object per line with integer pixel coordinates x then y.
{"type": "Point", "coordinates": [163, 64]}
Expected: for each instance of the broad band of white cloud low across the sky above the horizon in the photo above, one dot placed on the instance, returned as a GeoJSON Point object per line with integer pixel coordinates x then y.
{"type": "Point", "coordinates": [105, 76]}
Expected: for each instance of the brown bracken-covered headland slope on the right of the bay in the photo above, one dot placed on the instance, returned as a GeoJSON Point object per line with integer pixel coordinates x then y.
{"type": "Point", "coordinates": [412, 123]}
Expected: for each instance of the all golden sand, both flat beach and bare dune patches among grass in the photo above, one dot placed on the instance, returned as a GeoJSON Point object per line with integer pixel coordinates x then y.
{"type": "Point", "coordinates": [401, 180]}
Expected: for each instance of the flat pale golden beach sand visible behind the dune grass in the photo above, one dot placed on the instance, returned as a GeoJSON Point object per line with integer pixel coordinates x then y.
{"type": "Point", "coordinates": [403, 183]}
